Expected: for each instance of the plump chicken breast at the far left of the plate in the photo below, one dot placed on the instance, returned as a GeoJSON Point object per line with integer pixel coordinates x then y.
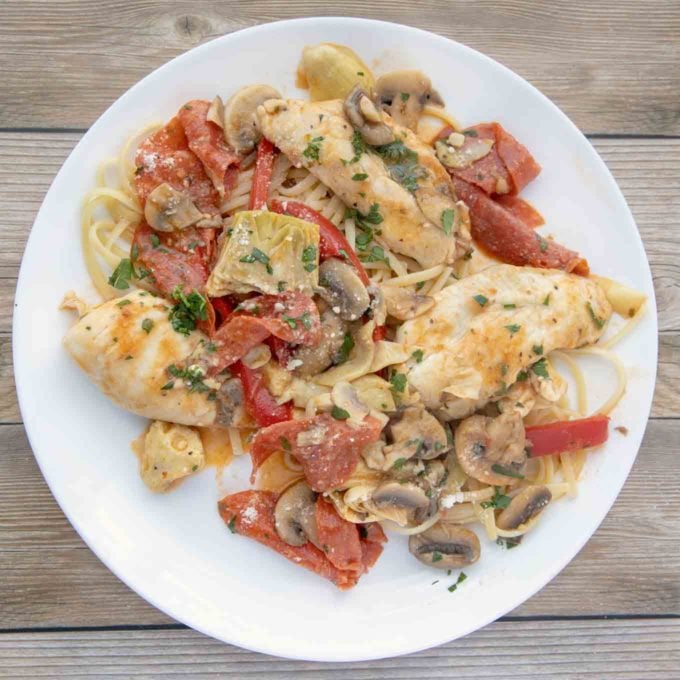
{"type": "Point", "coordinates": [126, 345]}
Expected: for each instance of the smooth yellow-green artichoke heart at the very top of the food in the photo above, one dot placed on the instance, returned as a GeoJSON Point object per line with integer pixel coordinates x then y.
{"type": "Point", "coordinates": [331, 71]}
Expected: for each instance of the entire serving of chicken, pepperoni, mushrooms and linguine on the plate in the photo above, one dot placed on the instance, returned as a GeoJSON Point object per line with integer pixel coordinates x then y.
{"type": "Point", "coordinates": [364, 306]}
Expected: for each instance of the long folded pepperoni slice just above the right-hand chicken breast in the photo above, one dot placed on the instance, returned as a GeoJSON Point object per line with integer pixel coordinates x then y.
{"type": "Point", "coordinates": [498, 231]}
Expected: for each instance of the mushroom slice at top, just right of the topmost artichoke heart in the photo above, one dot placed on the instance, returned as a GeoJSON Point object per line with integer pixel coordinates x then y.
{"type": "Point", "coordinates": [404, 94]}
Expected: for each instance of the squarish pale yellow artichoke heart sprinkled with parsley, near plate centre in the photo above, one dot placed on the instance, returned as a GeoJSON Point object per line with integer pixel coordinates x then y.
{"type": "Point", "coordinates": [268, 253]}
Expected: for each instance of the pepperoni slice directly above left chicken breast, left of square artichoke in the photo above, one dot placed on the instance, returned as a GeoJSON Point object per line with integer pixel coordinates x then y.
{"type": "Point", "coordinates": [178, 258]}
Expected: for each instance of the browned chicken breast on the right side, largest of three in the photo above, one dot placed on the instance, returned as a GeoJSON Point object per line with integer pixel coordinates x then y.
{"type": "Point", "coordinates": [493, 327]}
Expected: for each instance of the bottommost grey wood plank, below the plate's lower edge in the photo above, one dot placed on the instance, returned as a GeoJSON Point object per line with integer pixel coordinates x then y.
{"type": "Point", "coordinates": [528, 649]}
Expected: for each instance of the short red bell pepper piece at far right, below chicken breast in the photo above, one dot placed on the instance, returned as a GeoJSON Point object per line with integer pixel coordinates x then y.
{"type": "Point", "coordinates": [567, 435]}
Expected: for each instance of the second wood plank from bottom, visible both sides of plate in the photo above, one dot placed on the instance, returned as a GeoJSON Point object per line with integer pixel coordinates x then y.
{"type": "Point", "coordinates": [49, 578]}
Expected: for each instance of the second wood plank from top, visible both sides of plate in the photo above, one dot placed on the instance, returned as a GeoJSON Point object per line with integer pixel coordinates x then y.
{"type": "Point", "coordinates": [646, 169]}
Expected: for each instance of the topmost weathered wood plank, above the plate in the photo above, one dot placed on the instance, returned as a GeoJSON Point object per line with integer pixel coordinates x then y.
{"type": "Point", "coordinates": [612, 66]}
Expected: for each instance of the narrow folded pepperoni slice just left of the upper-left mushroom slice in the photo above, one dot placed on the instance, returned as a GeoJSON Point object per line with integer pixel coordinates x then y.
{"type": "Point", "coordinates": [206, 140]}
